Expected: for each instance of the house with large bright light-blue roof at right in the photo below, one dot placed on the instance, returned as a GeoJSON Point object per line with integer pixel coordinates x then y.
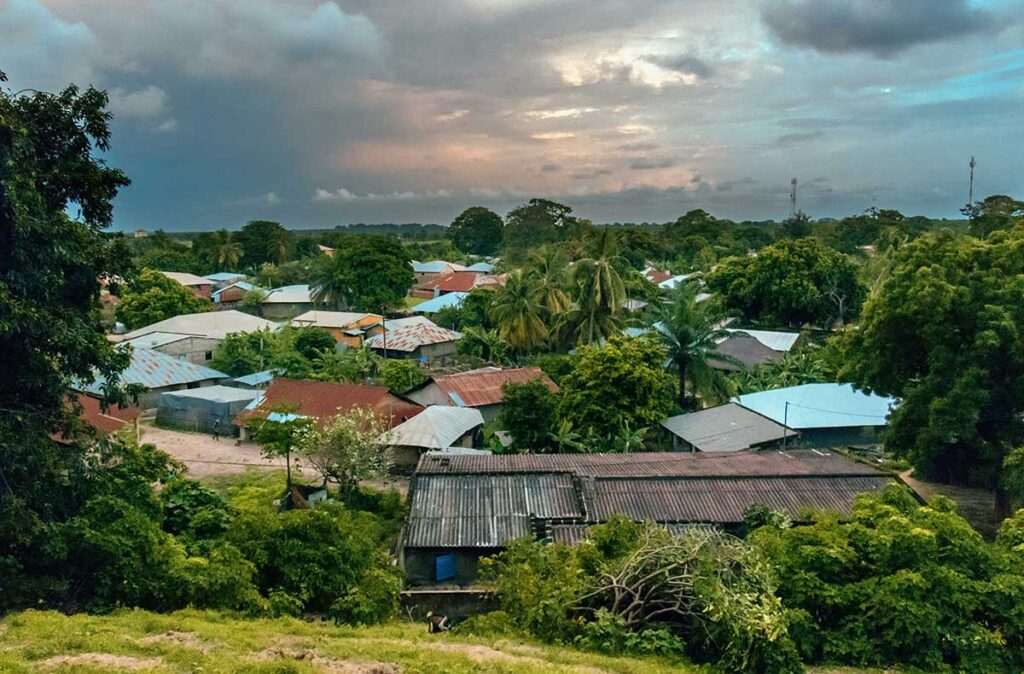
{"type": "Point", "coordinates": [826, 415]}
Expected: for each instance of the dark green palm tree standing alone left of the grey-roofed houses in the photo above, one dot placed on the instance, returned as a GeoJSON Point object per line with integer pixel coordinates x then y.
{"type": "Point", "coordinates": [690, 332]}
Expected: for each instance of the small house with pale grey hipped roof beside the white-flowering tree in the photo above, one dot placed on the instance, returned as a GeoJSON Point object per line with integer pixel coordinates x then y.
{"type": "Point", "coordinates": [438, 429]}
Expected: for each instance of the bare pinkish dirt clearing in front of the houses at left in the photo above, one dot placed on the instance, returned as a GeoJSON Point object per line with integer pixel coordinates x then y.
{"type": "Point", "coordinates": [205, 456]}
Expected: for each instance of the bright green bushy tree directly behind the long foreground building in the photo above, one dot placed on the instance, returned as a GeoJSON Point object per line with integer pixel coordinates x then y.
{"type": "Point", "coordinates": [624, 383]}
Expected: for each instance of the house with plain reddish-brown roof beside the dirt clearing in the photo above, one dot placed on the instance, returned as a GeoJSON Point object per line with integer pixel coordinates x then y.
{"type": "Point", "coordinates": [324, 400]}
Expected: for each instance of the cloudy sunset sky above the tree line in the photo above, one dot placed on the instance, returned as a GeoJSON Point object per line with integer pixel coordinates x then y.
{"type": "Point", "coordinates": [319, 113]}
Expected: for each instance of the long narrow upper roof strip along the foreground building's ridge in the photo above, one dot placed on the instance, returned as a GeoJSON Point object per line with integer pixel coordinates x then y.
{"type": "Point", "coordinates": [655, 465]}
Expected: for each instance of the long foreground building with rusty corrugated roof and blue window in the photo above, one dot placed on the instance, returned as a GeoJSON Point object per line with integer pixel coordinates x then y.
{"type": "Point", "coordinates": [466, 508]}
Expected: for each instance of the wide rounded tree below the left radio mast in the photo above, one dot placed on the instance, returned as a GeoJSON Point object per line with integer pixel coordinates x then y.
{"type": "Point", "coordinates": [791, 283]}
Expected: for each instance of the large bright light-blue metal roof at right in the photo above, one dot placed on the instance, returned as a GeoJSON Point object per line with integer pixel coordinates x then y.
{"type": "Point", "coordinates": [820, 406]}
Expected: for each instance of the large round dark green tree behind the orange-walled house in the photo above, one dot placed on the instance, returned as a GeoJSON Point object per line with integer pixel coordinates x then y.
{"type": "Point", "coordinates": [366, 274]}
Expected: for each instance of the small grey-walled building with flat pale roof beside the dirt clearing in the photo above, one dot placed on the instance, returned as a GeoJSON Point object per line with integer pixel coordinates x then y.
{"type": "Point", "coordinates": [204, 409]}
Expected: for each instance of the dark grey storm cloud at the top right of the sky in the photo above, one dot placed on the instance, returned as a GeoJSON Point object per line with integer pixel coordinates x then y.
{"type": "Point", "coordinates": [883, 28]}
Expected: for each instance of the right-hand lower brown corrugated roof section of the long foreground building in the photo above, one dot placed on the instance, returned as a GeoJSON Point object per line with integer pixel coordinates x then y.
{"type": "Point", "coordinates": [723, 501]}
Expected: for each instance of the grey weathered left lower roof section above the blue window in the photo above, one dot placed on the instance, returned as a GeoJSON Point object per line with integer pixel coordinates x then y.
{"type": "Point", "coordinates": [485, 512]}
